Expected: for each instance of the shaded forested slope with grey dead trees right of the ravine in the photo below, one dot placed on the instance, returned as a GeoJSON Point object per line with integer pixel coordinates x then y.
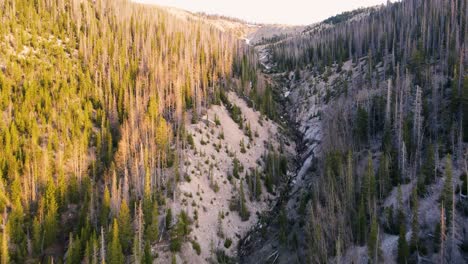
{"type": "Point", "coordinates": [392, 86]}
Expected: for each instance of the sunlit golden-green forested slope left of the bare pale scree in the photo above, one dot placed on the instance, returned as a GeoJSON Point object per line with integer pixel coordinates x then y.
{"type": "Point", "coordinates": [95, 96]}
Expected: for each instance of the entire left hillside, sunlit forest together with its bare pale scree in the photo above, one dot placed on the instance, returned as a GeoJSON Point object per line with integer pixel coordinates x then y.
{"type": "Point", "coordinates": [104, 155]}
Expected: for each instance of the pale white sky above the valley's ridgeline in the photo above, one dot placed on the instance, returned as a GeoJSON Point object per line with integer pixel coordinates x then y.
{"type": "Point", "coordinates": [293, 12]}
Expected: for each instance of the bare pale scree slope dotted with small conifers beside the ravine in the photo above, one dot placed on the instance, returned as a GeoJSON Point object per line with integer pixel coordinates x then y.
{"type": "Point", "coordinates": [224, 171]}
